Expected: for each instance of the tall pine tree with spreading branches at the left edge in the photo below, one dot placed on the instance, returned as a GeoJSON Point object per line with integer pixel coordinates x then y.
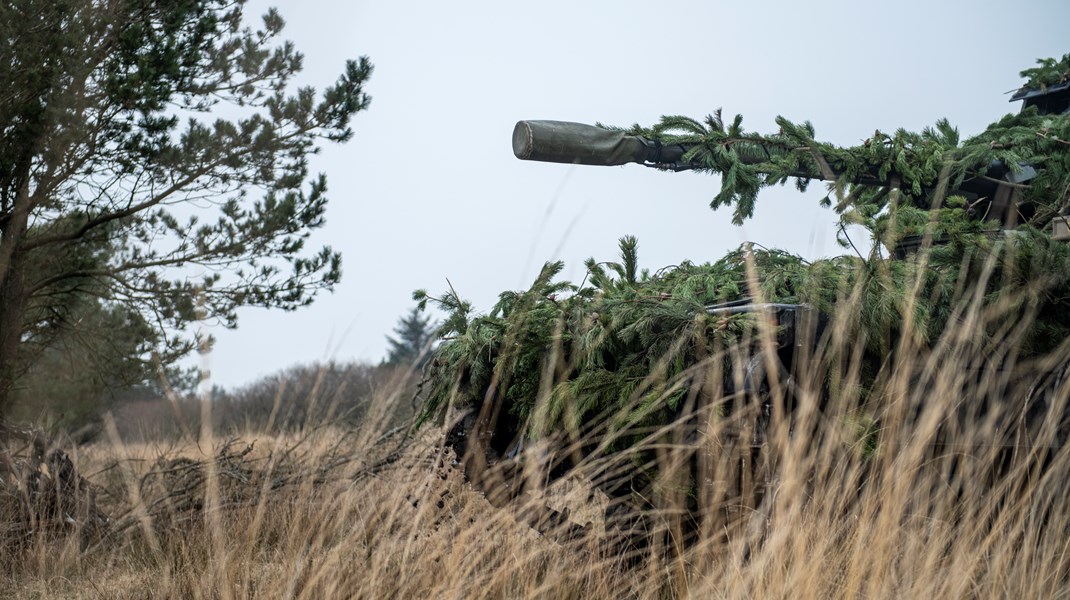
{"type": "Point", "coordinates": [120, 187]}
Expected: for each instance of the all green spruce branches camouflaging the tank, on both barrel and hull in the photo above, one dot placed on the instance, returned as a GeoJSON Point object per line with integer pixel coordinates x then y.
{"type": "Point", "coordinates": [633, 347]}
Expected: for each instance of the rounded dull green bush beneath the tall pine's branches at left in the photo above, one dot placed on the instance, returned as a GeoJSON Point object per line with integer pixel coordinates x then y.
{"type": "Point", "coordinates": [81, 351]}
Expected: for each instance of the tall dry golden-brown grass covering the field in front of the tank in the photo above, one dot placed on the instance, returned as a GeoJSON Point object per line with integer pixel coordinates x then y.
{"type": "Point", "coordinates": [943, 476]}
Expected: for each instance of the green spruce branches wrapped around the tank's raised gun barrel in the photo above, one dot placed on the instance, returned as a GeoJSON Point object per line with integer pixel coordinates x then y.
{"type": "Point", "coordinates": [904, 167]}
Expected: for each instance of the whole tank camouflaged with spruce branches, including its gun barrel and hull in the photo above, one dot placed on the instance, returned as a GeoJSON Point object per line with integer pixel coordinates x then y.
{"type": "Point", "coordinates": [748, 339]}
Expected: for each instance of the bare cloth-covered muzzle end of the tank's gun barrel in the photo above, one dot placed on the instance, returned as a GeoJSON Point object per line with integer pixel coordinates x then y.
{"type": "Point", "coordinates": [561, 142]}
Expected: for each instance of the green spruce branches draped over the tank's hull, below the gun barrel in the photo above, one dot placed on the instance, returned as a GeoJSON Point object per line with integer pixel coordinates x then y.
{"type": "Point", "coordinates": [560, 355]}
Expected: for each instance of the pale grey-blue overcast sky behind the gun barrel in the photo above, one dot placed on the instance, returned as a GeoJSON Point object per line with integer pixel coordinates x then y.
{"type": "Point", "coordinates": [429, 189]}
